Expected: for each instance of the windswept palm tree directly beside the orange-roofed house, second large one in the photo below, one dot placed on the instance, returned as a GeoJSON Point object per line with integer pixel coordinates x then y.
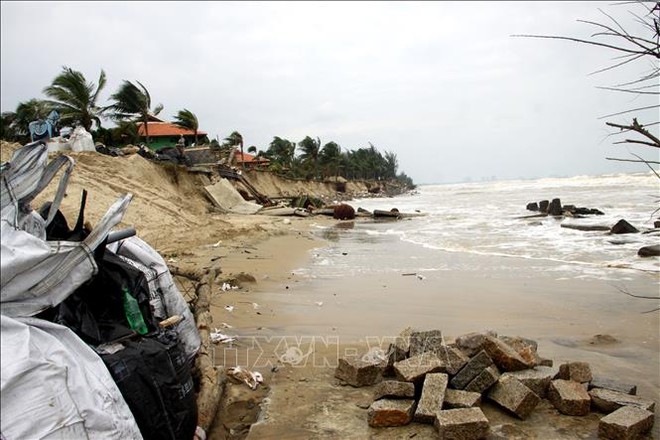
{"type": "Point", "coordinates": [132, 102]}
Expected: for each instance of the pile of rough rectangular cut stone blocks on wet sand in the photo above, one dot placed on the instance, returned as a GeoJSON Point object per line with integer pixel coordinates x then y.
{"type": "Point", "coordinates": [443, 384]}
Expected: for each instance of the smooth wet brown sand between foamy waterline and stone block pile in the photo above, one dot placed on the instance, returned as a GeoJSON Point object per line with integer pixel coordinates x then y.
{"type": "Point", "coordinates": [326, 316]}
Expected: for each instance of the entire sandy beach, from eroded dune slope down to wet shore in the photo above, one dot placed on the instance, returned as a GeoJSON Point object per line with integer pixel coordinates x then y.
{"type": "Point", "coordinates": [281, 306]}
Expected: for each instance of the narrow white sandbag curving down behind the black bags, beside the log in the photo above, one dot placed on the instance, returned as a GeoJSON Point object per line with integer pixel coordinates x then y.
{"type": "Point", "coordinates": [173, 302]}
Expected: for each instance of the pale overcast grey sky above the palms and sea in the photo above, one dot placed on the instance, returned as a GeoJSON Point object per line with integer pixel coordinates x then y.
{"type": "Point", "coordinates": [443, 85]}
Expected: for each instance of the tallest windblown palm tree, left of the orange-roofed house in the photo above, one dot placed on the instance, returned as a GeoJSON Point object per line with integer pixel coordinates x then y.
{"type": "Point", "coordinates": [75, 98]}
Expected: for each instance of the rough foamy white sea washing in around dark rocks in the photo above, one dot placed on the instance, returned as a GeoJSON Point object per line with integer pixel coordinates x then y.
{"type": "Point", "coordinates": [491, 219]}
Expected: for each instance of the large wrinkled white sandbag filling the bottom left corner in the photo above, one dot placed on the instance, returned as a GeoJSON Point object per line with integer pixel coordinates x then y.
{"type": "Point", "coordinates": [54, 386]}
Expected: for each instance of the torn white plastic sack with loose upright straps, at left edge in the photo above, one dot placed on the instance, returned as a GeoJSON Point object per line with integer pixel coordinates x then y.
{"type": "Point", "coordinates": [36, 273]}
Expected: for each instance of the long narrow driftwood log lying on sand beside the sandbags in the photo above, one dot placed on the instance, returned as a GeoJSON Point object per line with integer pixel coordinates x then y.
{"type": "Point", "coordinates": [212, 380]}
